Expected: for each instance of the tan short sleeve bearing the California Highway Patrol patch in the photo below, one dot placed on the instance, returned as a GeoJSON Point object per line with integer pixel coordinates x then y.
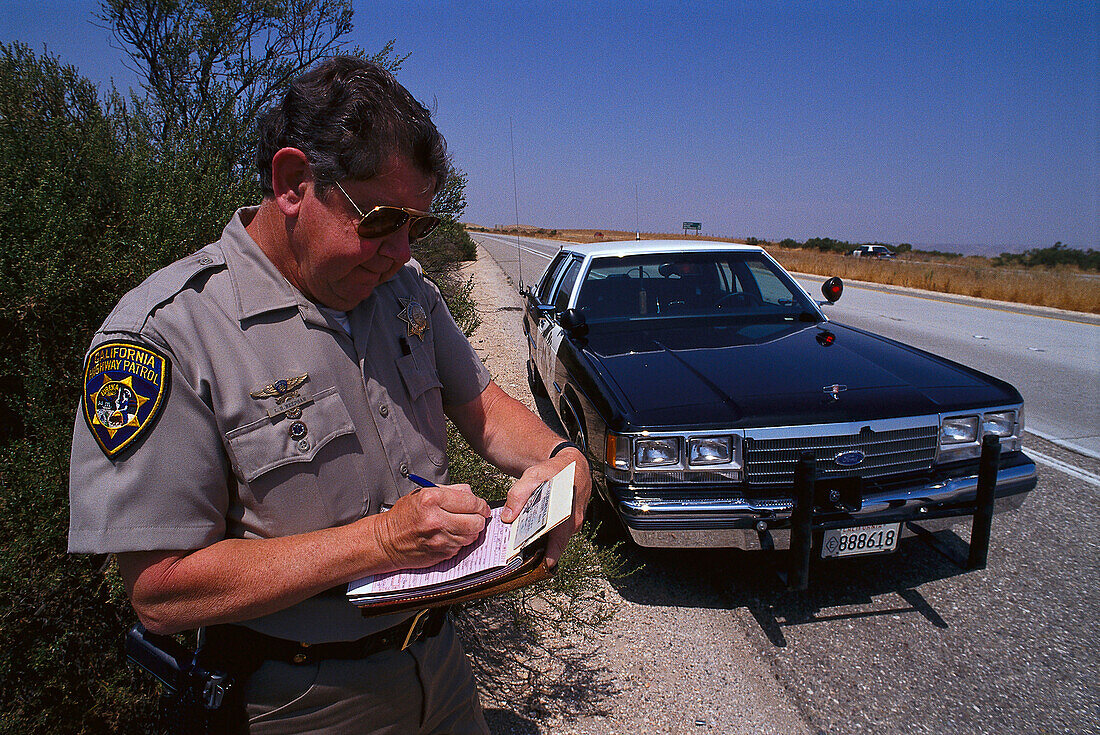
{"type": "Point", "coordinates": [148, 469]}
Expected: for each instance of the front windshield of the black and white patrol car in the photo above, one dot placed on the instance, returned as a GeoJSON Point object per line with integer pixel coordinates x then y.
{"type": "Point", "coordinates": [697, 284]}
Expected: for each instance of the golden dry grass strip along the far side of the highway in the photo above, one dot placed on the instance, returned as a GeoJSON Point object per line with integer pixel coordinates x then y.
{"type": "Point", "coordinates": [1061, 289]}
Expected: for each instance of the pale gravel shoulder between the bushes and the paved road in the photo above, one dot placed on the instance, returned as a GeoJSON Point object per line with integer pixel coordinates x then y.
{"type": "Point", "coordinates": [656, 668]}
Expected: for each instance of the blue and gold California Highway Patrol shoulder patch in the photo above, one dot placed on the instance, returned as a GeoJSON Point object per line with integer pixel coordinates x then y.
{"type": "Point", "coordinates": [125, 389]}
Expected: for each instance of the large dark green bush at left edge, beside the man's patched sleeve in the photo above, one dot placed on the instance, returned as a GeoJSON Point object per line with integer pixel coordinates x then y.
{"type": "Point", "coordinates": [78, 235]}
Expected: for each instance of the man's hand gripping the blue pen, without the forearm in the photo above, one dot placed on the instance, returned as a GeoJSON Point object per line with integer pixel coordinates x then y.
{"type": "Point", "coordinates": [431, 525]}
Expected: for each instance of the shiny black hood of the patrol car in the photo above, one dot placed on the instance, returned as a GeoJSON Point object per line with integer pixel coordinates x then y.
{"type": "Point", "coordinates": [776, 375]}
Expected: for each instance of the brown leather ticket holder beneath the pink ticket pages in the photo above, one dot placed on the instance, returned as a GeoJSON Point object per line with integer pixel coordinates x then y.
{"type": "Point", "coordinates": [533, 569]}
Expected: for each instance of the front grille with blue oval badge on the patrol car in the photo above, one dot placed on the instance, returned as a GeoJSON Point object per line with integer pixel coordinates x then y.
{"type": "Point", "coordinates": [773, 462]}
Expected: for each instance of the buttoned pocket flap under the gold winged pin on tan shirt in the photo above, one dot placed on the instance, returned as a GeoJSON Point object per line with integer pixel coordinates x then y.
{"type": "Point", "coordinates": [272, 443]}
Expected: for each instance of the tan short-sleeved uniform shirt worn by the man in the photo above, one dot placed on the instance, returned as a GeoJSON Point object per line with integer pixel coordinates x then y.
{"type": "Point", "coordinates": [221, 403]}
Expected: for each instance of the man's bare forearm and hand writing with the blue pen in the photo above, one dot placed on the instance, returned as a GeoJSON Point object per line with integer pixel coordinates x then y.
{"type": "Point", "coordinates": [241, 579]}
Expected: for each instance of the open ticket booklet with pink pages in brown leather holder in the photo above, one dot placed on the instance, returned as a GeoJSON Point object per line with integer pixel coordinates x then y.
{"type": "Point", "coordinates": [504, 557]}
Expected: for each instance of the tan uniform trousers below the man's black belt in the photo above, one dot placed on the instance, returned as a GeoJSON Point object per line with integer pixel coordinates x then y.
{"type": "Point", "coordinates": [427, 688]}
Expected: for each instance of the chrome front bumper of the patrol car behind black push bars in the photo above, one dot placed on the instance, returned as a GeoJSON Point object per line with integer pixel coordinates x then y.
{"type": "Point", "coordinates": [740, 524]}
